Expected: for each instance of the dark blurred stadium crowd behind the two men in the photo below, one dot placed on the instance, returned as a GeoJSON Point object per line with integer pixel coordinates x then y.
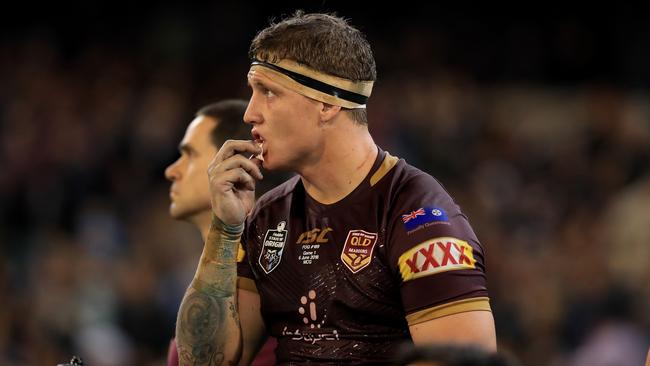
{"type": "Point", "coordinates": [537, 121]}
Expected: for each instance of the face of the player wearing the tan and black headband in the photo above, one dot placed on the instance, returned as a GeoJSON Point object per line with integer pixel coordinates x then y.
{"type": "Point", "coordinates": [287, 123]}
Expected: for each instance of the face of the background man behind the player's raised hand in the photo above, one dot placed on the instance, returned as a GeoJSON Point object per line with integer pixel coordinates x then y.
{"type": "Point", "coordinates": [190, 190]}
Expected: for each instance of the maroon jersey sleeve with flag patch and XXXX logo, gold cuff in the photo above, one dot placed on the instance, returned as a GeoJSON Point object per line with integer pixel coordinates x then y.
{"type": "Point", "coordinates": [434, 252]}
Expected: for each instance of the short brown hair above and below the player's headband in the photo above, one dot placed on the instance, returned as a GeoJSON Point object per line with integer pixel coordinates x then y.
{"type": "Point", "coordinates": [324, 42]}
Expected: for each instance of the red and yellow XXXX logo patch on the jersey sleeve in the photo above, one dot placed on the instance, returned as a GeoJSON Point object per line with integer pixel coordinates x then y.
{"type": "Point", "coordinates": [435, 256]}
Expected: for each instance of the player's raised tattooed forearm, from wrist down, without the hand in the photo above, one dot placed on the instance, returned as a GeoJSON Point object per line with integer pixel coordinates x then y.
{"type": "Point", "coordinates": [207, 328]}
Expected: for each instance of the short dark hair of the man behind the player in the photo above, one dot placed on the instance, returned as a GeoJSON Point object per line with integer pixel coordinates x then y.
{"type": "Point", "coordinates": [229, 115]}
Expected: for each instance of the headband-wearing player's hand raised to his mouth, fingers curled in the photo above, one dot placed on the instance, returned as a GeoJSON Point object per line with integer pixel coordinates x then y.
{"type": "Point", "coordinates": [232, 180]}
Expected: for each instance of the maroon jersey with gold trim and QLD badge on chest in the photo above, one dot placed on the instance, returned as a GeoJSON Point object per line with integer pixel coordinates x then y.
{"type": "Point", "coordinates": [341, 283]}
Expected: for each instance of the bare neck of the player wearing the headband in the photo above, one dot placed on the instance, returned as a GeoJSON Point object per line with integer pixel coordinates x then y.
{"type": "Point", "coordinates": [346, 160]}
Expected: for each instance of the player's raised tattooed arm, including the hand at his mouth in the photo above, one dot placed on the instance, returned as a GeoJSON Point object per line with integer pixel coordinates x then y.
{"type": "Point", "coordinates": [208, 329]}
